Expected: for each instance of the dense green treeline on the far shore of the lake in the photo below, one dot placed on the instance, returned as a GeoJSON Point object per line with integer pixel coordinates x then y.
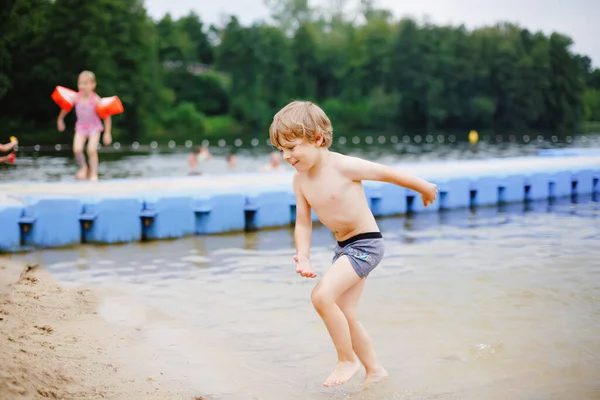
{"type": "Point", "coordinates": [182, 79]}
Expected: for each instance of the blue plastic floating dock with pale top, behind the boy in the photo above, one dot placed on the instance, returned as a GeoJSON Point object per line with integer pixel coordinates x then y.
{"type": "Point", "coordinates": [45, 215]}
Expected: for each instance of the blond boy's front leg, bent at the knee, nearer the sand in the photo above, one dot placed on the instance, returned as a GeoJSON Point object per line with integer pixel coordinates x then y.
{"type": "Point", "coordinates": [340, 277]}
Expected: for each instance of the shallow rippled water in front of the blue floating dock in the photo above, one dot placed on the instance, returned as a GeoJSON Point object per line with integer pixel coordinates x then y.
{"type": "Point", "coordinates": [472, 304]}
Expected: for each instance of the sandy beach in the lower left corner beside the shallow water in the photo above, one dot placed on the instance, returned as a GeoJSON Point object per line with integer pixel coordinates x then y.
{"type": "Point", "coordinates": [53, 344]}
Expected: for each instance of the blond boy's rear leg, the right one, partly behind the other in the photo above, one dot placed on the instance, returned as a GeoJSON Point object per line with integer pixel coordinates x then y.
{"type": "Point", "coordinates": [361, 342]}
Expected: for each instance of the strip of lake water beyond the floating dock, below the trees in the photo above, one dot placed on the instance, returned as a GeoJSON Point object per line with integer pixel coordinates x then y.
{"type": "Point", "coordinates": [49, 164]}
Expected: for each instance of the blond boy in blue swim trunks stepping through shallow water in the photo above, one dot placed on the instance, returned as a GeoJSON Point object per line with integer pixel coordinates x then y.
{"type": "Point", "coordinates": [330, 184]}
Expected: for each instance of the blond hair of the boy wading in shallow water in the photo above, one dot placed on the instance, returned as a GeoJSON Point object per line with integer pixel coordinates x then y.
{"type": "Point", "coordinates": [301, 120]}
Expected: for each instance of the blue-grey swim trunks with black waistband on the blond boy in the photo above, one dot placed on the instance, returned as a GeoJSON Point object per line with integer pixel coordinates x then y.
{"type": "Point", "coordinates": [365, 252]}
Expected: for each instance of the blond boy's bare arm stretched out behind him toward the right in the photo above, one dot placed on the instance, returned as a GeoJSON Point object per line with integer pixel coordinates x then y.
{"type": "Point", "coordinates": [362, 170]}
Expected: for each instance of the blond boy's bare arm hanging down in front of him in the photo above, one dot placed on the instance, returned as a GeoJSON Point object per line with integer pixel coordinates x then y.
{"type": "Point", "coordinates": [302, 233]}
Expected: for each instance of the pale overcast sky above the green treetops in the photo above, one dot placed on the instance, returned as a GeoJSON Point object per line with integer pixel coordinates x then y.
{"type": "Point", "coordinates": [577, 18]}
